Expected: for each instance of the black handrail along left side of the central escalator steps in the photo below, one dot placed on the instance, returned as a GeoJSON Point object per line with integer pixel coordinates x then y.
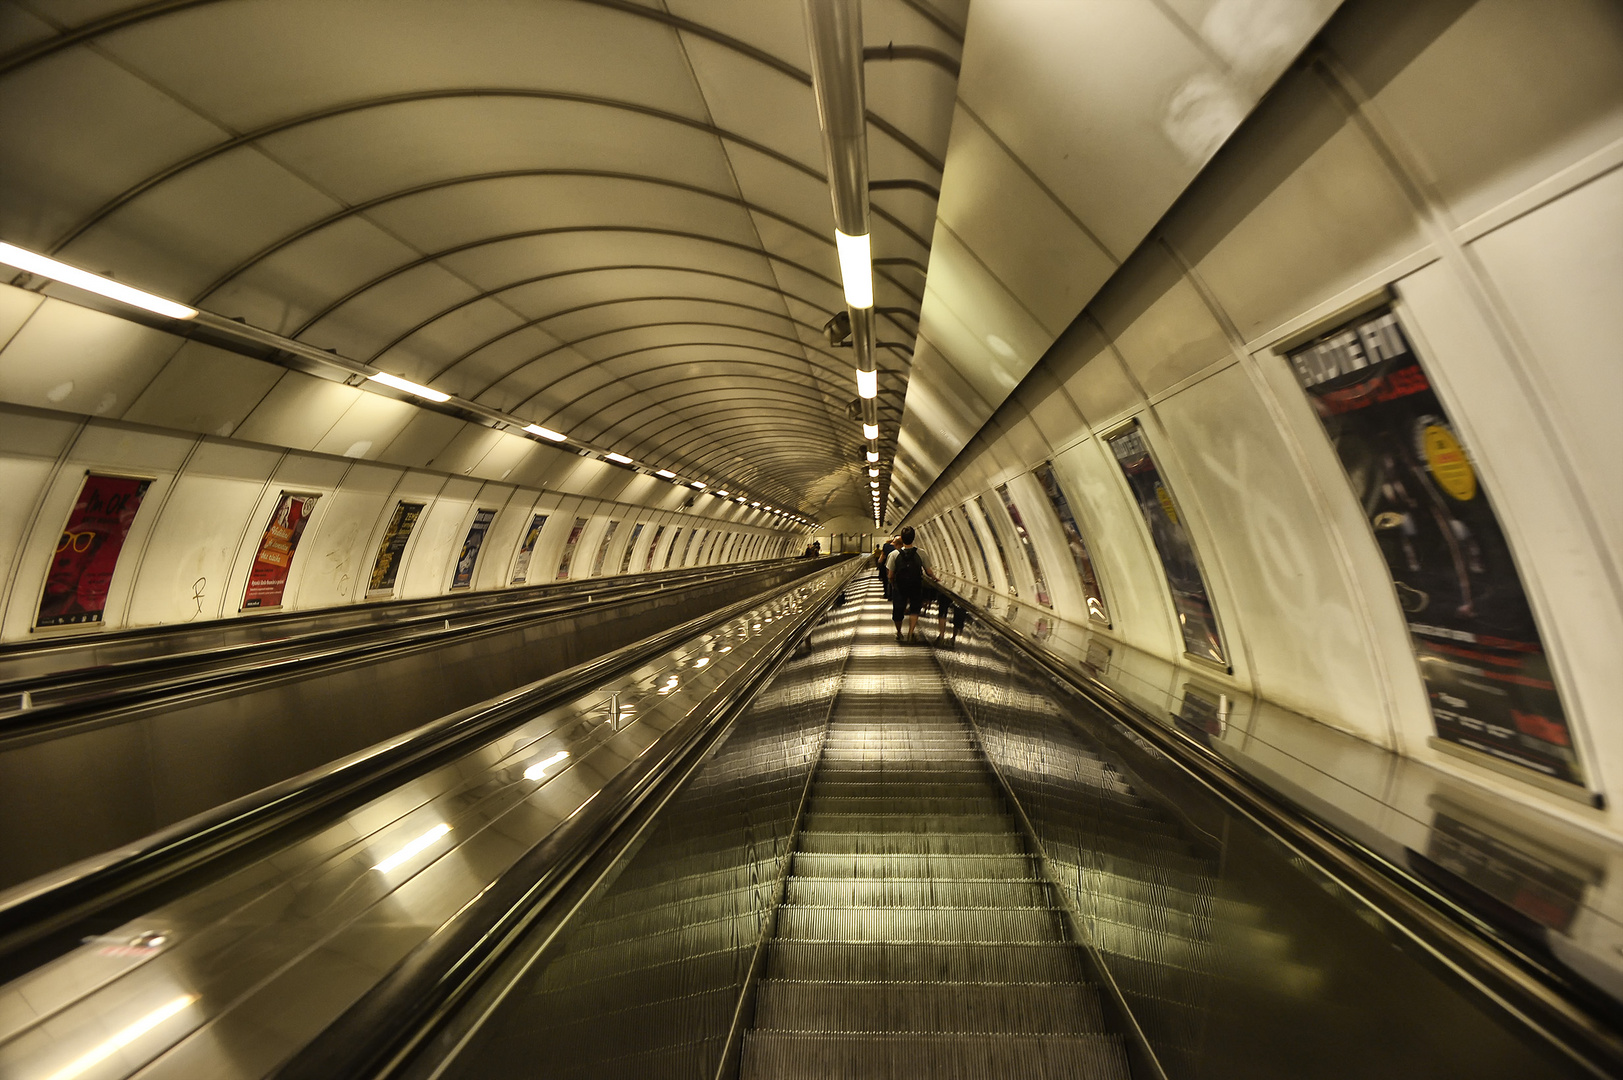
{"type": "Point", "coordinates": [389, 1022]}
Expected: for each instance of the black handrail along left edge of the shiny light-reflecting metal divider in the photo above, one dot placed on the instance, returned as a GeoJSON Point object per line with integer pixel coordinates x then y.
{"type": "Point", "coordinates": [66, 897]}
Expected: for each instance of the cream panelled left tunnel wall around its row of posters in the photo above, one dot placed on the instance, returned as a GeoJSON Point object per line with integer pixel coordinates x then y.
{"type": "Point", "coordinates": [200, 524]}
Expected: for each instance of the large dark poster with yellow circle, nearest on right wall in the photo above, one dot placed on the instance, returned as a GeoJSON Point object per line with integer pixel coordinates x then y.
{"type": "Point", "coordinates": [1470, 623]}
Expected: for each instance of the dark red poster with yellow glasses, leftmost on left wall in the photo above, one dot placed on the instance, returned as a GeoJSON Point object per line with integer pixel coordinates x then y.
{"type": "Point", "coordinates": [88, 551]}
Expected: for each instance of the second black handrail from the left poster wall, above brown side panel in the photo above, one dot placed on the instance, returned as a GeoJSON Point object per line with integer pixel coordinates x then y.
{"type": "Point", "coordinates": [168, 681]}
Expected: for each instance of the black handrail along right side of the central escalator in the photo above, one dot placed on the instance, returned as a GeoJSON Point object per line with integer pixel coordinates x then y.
{"type": "Point", "coordinates": [1557, 1009]}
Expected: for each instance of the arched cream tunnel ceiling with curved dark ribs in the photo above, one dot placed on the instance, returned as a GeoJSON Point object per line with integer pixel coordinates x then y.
{"type": "Point", "coordinates": [603, 217]}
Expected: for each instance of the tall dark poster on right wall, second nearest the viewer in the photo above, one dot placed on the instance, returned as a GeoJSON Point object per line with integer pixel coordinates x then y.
{"type": "Point", "coordinates": [1173, 543]}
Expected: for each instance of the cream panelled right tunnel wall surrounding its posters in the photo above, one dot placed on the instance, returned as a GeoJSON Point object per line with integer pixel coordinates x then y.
{"type": "Point", "coordinates": [1465, 158]}
